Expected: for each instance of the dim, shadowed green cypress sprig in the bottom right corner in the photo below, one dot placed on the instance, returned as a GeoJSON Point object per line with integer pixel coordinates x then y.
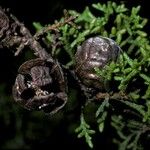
{"type": "Point", "coordinates": [128, 140]}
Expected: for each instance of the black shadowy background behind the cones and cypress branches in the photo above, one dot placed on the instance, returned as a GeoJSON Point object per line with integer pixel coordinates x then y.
{"type": "Point", "coordinates": [20, 129]}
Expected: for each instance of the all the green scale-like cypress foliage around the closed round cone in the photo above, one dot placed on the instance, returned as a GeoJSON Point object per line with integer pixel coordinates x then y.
{"type": "Point", "coordinates": [130, 73]}
